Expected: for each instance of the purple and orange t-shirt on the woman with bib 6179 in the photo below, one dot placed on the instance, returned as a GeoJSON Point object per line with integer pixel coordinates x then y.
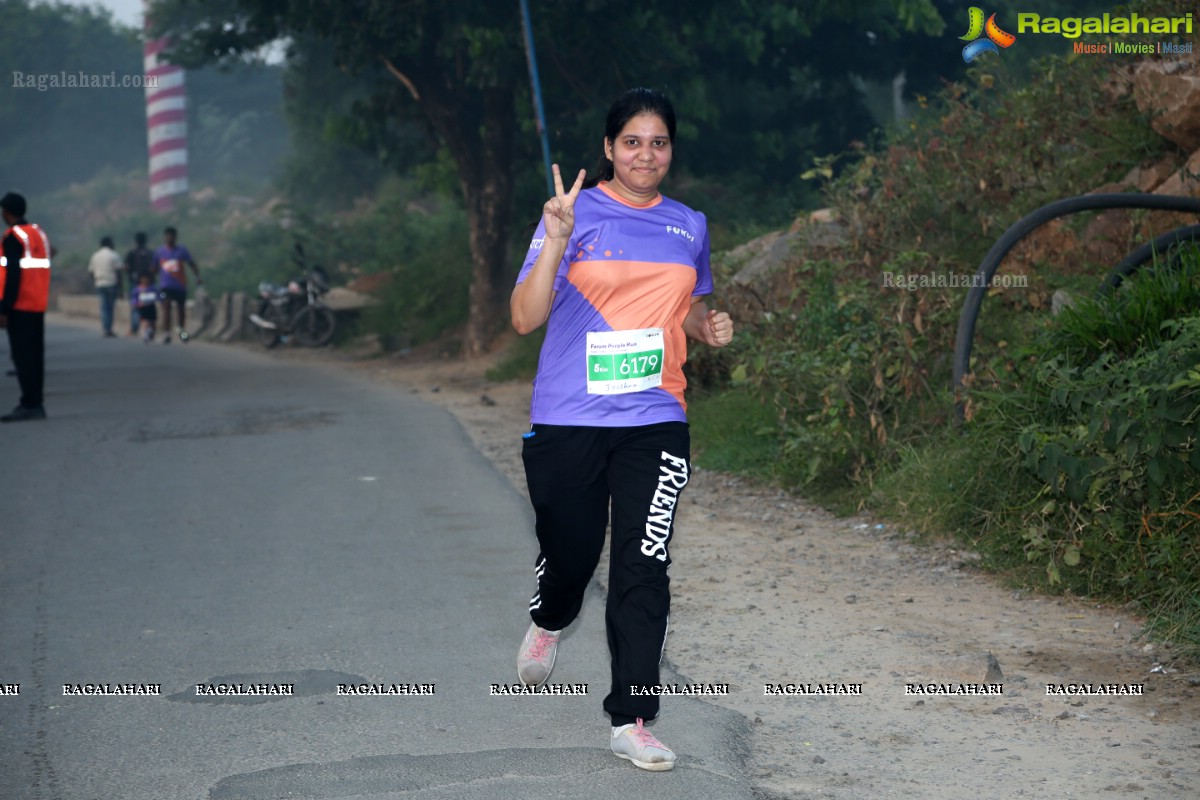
{"type": "Point", "coordinates": [627, 268]}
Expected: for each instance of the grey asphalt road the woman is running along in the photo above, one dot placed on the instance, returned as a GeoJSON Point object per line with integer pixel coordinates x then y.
{"type": "Point", "coordinates": [207, 515]}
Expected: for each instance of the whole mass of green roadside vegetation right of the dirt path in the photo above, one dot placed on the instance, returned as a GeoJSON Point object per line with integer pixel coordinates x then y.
{"type": "Point", "coordinates": [1078, 468]}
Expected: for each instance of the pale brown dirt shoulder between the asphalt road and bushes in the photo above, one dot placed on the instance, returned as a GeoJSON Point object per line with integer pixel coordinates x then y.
{"type": "Point", "coordinates": [769, 590]}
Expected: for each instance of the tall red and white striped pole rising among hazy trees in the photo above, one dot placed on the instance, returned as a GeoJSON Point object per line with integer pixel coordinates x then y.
{"type": "Point", "coordinates": [166, 124]}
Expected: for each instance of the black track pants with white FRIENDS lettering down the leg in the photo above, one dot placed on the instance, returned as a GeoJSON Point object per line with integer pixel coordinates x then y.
{"type": "Point", "coordinates": [575, 473]}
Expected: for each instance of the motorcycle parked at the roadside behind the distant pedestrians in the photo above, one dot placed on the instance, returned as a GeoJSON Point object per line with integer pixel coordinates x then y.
{"type": "Point", "coordinates": [296, 310]}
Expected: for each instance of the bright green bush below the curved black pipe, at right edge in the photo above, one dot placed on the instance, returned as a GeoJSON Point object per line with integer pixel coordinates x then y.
{"type": "Point", "coordinates": [1084, 473]}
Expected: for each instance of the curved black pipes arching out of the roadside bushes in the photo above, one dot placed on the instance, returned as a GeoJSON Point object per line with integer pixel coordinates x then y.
{"type": "Point", "coordinates": [1027, 225]}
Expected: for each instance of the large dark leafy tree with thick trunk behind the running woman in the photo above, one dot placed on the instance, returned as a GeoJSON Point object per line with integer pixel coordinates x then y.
{"type": "Point", "coordinates": [461, 65]}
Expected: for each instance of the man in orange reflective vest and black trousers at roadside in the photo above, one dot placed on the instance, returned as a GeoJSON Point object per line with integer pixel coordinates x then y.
{"type": "Point", "coordinates": [26, 276]}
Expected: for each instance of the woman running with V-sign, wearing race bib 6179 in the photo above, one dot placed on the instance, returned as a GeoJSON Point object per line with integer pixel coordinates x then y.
{"type": "Point", "coordinates": [619, 275]}
